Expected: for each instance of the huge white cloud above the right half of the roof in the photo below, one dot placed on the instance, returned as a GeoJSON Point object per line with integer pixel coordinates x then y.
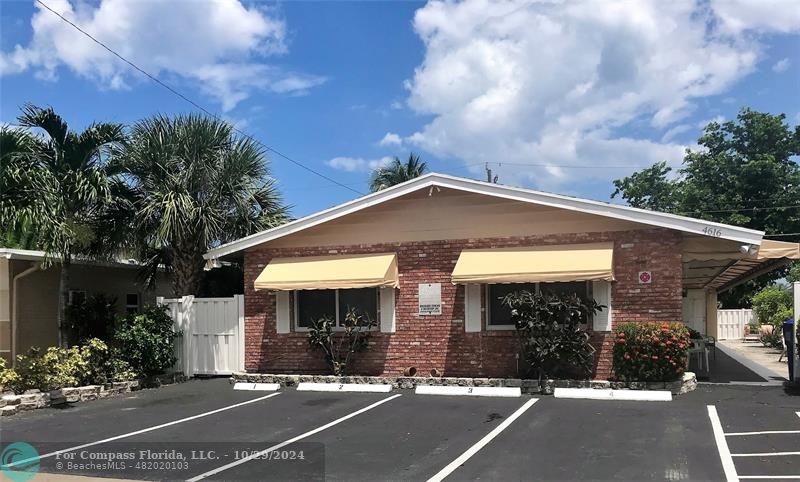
{"type": "Point", "coordinates": [553, 82]}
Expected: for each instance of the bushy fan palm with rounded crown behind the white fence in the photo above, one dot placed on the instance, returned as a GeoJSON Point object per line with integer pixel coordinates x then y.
{"type": "Point", "coordinates": [195, 184]}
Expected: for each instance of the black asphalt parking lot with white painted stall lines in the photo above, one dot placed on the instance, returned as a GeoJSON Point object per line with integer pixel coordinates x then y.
{"type": "Point", "coordinates": [403, 436]}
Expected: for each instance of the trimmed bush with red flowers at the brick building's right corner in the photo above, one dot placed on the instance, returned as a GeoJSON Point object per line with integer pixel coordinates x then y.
{"type": "Point", "coordinates": [650, 352]}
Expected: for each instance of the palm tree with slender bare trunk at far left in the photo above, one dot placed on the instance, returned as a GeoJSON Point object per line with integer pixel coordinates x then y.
{"type": "Point", "coordinates": [57, 183]}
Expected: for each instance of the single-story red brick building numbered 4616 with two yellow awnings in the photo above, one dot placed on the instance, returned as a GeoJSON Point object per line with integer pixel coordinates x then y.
{"type": "Point", "coordinates": [429, 259]}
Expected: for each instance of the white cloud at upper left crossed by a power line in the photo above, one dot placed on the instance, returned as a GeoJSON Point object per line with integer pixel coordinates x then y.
{"type": "Point", "coordinates": [221, 47]}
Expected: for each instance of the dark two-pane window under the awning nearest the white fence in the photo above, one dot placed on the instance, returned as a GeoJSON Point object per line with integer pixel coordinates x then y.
{"type": "Point", "coordinates": [312, 305]}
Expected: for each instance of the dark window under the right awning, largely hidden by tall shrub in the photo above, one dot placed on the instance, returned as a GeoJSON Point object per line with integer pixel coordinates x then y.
{"type": "Point", "coordinates": [498, 316]}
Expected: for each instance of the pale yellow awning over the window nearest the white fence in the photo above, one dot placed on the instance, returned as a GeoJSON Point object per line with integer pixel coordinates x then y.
{"type": "Point", "coordinates": [330, 272]}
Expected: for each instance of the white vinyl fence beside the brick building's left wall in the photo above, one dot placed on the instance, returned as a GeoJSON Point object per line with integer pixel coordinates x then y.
{"type": "Point", "coordinates": [212, 334]}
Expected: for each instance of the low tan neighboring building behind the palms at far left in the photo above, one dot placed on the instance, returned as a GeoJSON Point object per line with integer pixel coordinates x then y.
{"type": "Point", "coordinates": [29, 295]}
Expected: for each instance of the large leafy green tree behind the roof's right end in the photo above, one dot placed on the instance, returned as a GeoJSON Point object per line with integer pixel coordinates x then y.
{"type": "Point", "coordinates": [745, 173]}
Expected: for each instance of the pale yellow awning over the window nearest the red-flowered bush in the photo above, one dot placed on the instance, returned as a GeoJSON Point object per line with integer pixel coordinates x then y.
{"type": "Point", "coordinates": [573, 262]}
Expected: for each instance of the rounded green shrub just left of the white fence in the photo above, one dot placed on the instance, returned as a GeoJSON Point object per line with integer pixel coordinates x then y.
{"type": "Point", "coordinates": [145, 341]}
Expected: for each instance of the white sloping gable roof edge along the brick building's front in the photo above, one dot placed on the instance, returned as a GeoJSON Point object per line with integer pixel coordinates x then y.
{"type": "Point", "coordinates": [627, 213]}
